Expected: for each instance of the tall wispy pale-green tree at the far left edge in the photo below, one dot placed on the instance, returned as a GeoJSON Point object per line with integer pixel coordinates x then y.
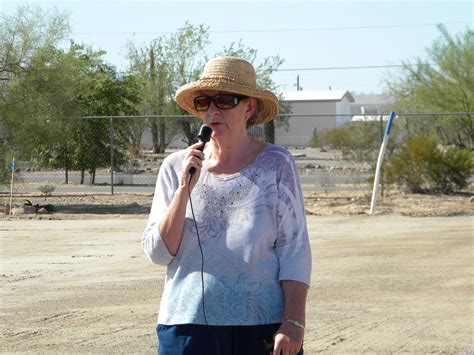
{"type": "Point", "coordinates": [28, 40]}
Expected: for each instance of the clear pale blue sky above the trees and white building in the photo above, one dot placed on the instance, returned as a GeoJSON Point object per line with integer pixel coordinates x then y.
{"type": "Point", "coordinates": [306, 34]}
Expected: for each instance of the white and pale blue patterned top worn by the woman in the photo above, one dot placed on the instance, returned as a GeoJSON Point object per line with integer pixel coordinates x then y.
{"type": "Point", "coordinates": [253, 233]}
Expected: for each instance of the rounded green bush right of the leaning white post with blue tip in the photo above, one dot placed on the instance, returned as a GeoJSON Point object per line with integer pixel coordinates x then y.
{"type": "Point", "coordinates": [420, 165]}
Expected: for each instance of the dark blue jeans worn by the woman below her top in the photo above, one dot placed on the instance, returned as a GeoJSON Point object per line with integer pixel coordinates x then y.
{"type": "Point", "coordinates": [193, 339]}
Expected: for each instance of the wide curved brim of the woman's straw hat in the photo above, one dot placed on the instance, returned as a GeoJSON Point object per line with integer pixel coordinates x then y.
{"type": "Point", "coordinates": [267, 108]}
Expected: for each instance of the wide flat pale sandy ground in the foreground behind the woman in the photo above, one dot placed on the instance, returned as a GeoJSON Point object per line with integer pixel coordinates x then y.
{"type": "Point", "coordinates": [381, 284]}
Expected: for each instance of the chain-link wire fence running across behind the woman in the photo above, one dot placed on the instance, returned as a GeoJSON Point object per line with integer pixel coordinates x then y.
{"type": "Point", "coordinates": [113, 155]}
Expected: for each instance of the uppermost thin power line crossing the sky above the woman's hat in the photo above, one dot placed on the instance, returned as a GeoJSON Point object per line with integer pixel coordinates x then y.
{"type": "Point", "coordinates": [344, 28]}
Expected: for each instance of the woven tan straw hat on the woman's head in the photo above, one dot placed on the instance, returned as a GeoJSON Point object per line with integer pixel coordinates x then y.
{"type": "Point", "coordinates": [231, 74]}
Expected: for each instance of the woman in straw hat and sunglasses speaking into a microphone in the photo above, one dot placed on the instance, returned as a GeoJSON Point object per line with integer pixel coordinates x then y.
{"type": "Point", "coordinates": [233, 235]}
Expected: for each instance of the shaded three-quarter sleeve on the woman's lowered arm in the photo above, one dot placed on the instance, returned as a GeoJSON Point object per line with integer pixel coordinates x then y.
{"type": "Point", "coordinates": [292, 243]}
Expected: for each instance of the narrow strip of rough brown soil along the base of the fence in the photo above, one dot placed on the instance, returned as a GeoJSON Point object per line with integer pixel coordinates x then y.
{"type": "Point", "coordinates": [356, 202]}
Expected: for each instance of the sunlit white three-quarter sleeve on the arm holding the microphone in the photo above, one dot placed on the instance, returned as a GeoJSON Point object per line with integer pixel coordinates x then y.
{"type": "Point", "coordinates": [153, 245]}
